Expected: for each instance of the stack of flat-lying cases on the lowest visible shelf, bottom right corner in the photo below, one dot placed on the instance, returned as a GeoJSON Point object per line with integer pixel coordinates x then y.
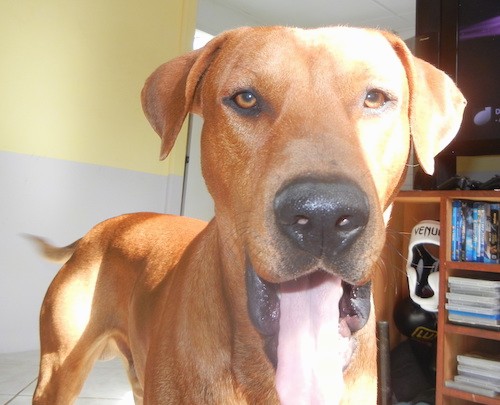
{"type": "Point", "coordinates": [478, 374]}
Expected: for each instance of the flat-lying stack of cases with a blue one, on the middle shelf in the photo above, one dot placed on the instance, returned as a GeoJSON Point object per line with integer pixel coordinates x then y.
{"type": "Point", "coordinates": [474, 302]}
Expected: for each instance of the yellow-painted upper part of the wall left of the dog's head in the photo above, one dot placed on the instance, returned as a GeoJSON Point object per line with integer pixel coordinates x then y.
{"type": "Point", "coordinates": [71, 72]}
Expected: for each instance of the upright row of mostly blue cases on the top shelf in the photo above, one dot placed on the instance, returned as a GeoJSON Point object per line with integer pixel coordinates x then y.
{"type": "Point", "coordinates": [475, 231]}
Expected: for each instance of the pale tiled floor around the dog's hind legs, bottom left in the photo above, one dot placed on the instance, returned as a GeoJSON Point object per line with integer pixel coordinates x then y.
{"type": "Point", "coordinates": [106, 385]}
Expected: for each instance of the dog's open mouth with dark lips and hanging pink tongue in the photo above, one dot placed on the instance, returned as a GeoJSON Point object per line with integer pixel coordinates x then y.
{"type": "Point", "coordinates": [307, 326]}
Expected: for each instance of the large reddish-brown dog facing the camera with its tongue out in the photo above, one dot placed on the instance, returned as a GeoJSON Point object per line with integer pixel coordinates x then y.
{"type": "Point", "coordinates": [305, 141]}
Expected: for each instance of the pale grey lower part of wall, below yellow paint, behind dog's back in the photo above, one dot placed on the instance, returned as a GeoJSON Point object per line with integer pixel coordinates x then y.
{"type": "Point", "coordinates": [59, 200]}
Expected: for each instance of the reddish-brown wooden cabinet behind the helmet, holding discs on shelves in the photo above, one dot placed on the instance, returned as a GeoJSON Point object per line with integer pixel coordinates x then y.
{"type": "Point", "coordinates": [411, 207]}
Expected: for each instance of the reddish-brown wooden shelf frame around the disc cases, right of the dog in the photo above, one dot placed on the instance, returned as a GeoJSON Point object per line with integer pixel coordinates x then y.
{"type": "Point", "coordinates": [410, 208]}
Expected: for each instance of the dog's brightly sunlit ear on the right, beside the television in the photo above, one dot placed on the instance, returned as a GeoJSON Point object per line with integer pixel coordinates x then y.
{"type": "Point", "coordinates": [436, 105]}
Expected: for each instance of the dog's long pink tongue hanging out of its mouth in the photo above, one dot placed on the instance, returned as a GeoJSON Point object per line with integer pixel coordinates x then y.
{"type": "Point", "coordinates": [311, 352]}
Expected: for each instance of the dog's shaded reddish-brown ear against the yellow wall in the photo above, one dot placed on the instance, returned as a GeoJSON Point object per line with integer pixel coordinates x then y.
{"type": "Point", "coordinates": [169, 94]}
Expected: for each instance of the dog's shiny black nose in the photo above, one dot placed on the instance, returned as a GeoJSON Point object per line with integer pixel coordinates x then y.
{"type": "Point", "coordinates": [322, 218]}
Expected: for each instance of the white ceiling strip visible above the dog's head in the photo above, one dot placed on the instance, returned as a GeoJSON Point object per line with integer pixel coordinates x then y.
{"type": "Point", "coordinates": [394, 15]}
